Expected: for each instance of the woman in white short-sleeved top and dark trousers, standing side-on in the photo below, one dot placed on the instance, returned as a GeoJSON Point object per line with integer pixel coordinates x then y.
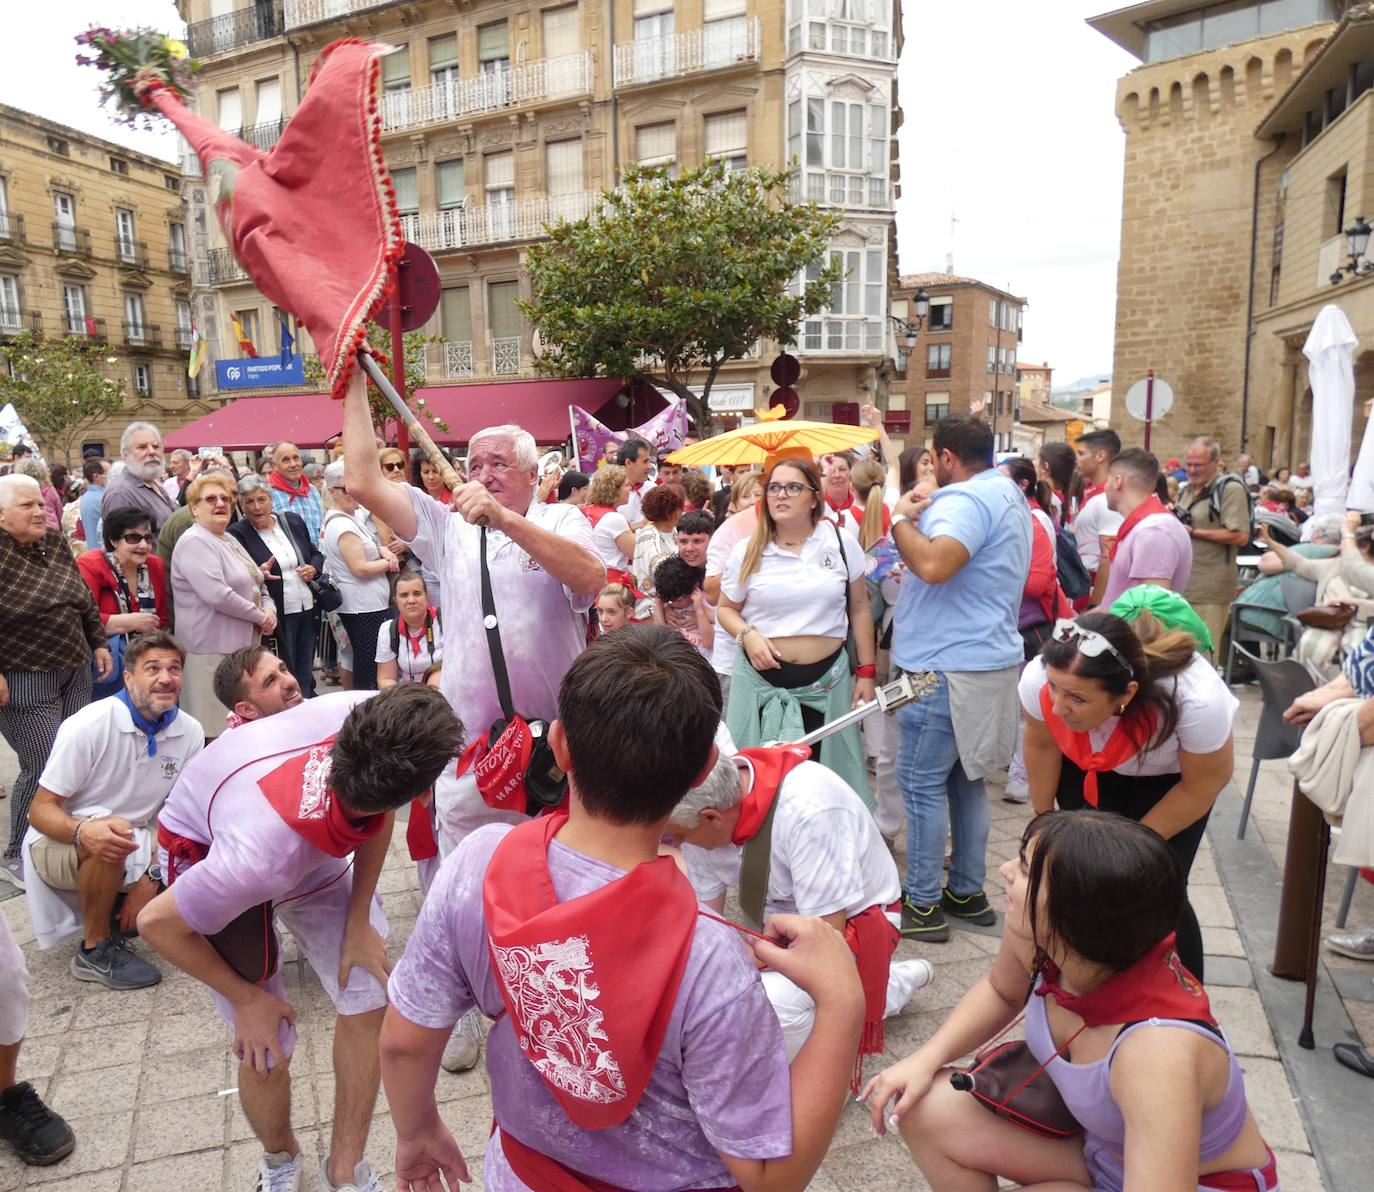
{"type": "Point", "coordinates": [362, 572]}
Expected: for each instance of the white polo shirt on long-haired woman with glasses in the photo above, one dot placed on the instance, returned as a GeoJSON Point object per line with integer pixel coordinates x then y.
{"type": "Point", "coordinates": [795, 595]}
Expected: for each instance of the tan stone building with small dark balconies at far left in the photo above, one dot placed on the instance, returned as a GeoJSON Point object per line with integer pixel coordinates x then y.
{"type": "Point", "coordinates": [93, 245]}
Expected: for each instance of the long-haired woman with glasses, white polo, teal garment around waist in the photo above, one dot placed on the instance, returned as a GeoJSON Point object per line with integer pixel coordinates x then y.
{"type": "Point", "coordinates": [791, 595]}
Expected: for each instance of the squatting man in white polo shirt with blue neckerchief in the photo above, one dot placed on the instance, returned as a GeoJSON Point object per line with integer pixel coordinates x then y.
{"type": "Point", "coordinates": [93, 822]}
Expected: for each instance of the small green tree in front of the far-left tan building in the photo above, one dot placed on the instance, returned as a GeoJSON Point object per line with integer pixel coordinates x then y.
{"type": "Point", "coordinates": [58, 391]}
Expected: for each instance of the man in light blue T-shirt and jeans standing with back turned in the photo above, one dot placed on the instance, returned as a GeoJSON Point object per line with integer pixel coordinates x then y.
{"type": "Point", "coordinates": [968, 555]}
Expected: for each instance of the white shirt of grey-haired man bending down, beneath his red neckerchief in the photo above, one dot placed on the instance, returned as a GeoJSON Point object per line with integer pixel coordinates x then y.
{"type": "Point", "coordinates": [828, 853]}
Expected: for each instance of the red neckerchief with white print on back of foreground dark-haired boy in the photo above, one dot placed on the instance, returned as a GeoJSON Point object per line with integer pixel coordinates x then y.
{"type": "Point", "coordinates": [589, 988]}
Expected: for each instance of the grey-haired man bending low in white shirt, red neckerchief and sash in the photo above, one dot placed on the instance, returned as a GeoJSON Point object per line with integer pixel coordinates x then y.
{"type": "Point", "coordinates": [822, 856]}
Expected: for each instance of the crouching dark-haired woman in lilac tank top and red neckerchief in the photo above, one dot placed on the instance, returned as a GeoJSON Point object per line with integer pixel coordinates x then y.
{"type": "Point", "coordinates": [1114, 1018]}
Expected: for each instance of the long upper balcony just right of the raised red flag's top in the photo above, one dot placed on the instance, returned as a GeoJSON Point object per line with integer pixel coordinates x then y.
{"type": "Point", "coordinates": [546, 79]}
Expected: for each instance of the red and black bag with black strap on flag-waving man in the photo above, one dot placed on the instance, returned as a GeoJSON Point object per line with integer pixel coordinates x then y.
{"type": "Point", "coordinates": [519, 760]}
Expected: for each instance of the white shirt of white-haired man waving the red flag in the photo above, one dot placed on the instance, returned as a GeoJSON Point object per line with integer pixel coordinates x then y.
{"type": "Point", "coordinates": [541, 620]}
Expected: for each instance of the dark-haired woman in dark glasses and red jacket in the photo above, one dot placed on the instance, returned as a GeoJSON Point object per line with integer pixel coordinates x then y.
{"type": "Point", "coordinates": [128, 582]}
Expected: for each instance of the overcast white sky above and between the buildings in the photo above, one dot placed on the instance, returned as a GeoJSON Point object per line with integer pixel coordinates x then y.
{"type": "Point", "coordinates": [1009, 128]}
